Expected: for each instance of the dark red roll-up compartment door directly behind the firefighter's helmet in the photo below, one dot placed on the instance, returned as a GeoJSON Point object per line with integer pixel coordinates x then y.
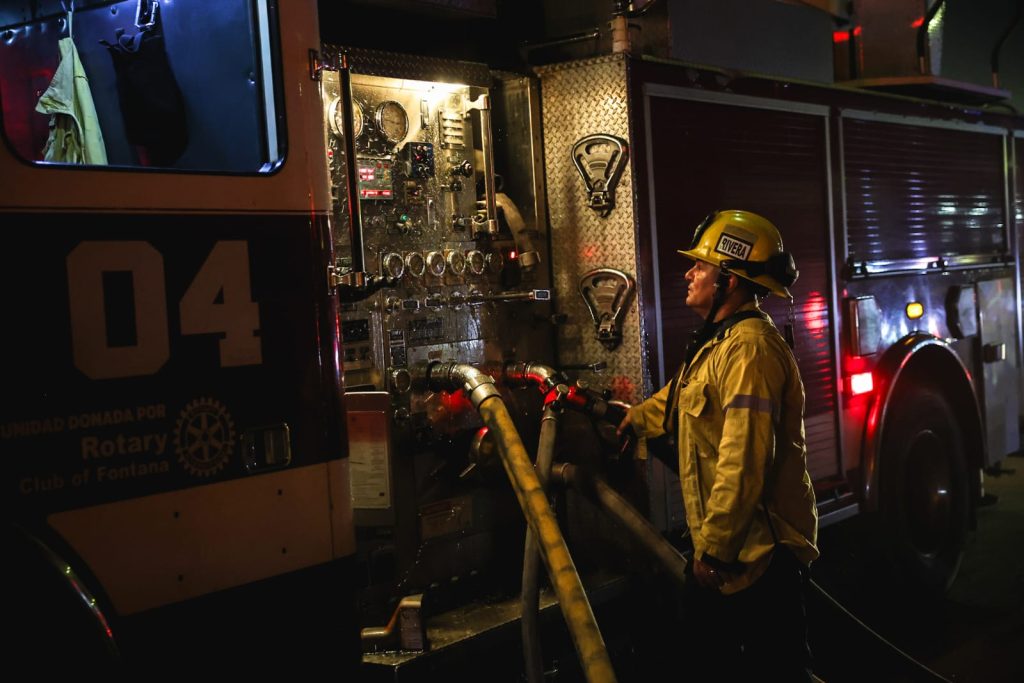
{"type": "Point", "coordinates": [707, 156]}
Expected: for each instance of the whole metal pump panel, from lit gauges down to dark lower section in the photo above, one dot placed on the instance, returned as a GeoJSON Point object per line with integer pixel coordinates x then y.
{"type": "Point", "coordinates": [429, 510]}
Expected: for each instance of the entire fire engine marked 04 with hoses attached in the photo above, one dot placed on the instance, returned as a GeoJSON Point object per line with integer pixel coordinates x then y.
{"type": "Point", "coordinates": [275, 357]}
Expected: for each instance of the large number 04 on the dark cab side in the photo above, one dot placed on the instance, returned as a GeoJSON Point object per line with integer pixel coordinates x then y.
{"type": "Point", "coordinates": [219, 301]}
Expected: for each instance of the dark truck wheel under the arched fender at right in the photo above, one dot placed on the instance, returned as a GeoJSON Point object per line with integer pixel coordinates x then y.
{"type": "Point", "coordinates": [924, 488]}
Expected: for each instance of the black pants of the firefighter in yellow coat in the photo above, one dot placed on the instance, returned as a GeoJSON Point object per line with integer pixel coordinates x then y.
{"type": "Point", "coordinates": [759, 634]}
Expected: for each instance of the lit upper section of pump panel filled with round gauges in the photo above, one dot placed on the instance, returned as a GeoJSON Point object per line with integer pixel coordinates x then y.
{"type": "Point", "coordinates": [420, 195]}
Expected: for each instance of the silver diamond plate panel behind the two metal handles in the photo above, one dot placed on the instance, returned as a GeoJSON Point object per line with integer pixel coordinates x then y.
{"type": "Point", "coordinates": [580, 99]}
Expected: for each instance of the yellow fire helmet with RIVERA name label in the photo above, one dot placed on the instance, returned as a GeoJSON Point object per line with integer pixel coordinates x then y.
{"type": "Point", "coordinates": [747, 245]}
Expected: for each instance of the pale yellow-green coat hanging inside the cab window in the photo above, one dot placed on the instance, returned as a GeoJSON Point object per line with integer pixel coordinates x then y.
{"type": "Point", "coordinates": [75, 136]}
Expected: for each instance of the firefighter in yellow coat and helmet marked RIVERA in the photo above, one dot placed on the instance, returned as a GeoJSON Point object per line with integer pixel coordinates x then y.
{"type": "Point", "coordinates": [734, 415]}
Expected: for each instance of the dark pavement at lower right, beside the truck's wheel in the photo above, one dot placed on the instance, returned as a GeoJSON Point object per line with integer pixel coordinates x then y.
{"type": "Point", "coordinates": [974, 634]}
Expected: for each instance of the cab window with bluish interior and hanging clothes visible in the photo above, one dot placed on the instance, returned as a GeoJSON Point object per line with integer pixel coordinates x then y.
{"type": "Point", "coordinates": [141, 84]}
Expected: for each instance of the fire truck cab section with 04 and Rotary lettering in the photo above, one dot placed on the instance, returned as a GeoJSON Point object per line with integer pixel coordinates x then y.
{"type": "Point", "coordinates": [176, 461]}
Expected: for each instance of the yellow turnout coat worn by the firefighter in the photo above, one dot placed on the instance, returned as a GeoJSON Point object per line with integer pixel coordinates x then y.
{"type": "Point", "coordinates": [743, 458]}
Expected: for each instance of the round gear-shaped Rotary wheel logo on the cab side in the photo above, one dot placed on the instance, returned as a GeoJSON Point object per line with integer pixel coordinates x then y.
{"type": "Point", "coordinates": [204, 437]}
